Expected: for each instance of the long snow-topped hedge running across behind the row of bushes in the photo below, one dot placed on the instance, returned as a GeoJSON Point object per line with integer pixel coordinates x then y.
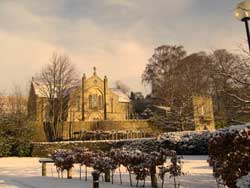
{"type": "Point", "coordinates": [184, 143]}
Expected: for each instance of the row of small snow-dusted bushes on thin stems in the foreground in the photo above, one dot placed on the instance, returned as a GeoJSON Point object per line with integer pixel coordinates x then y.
{"type": "Point", "coordinates": [137, 162]}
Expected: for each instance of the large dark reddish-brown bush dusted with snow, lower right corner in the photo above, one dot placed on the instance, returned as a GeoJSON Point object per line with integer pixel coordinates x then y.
{"type": "Point", "coordinates": [229, 154]}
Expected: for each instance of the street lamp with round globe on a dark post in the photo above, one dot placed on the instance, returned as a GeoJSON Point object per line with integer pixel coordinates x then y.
{"type": "Point", "coordinates": [242, 13]}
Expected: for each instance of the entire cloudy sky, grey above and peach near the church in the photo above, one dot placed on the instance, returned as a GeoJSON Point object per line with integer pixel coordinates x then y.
{"type": "Point", "coordinates": [116, 36]}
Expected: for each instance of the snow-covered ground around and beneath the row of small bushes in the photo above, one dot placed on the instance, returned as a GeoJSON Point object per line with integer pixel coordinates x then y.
{"type": "Point", "coordinates": [26, 173]}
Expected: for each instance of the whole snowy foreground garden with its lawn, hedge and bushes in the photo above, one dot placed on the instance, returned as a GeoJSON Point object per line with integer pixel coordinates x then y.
{"type": "Point", "coordinates": [138, 163]}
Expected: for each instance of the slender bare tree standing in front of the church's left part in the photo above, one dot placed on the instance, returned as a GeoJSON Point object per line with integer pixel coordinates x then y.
{"type": "Point", "coordinates": [57, 78]}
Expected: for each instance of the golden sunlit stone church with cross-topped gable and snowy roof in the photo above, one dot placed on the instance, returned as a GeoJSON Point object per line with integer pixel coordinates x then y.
{"type": "Point", "coordinates": [91, 100]}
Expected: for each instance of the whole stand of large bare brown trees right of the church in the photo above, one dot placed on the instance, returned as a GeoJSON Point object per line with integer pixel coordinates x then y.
{"type": "Point", "coordinates": [175, 77]}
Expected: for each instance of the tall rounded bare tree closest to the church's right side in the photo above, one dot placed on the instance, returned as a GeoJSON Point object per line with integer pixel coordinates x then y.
{"type": "Point", "coordinates": [158, 72]}
